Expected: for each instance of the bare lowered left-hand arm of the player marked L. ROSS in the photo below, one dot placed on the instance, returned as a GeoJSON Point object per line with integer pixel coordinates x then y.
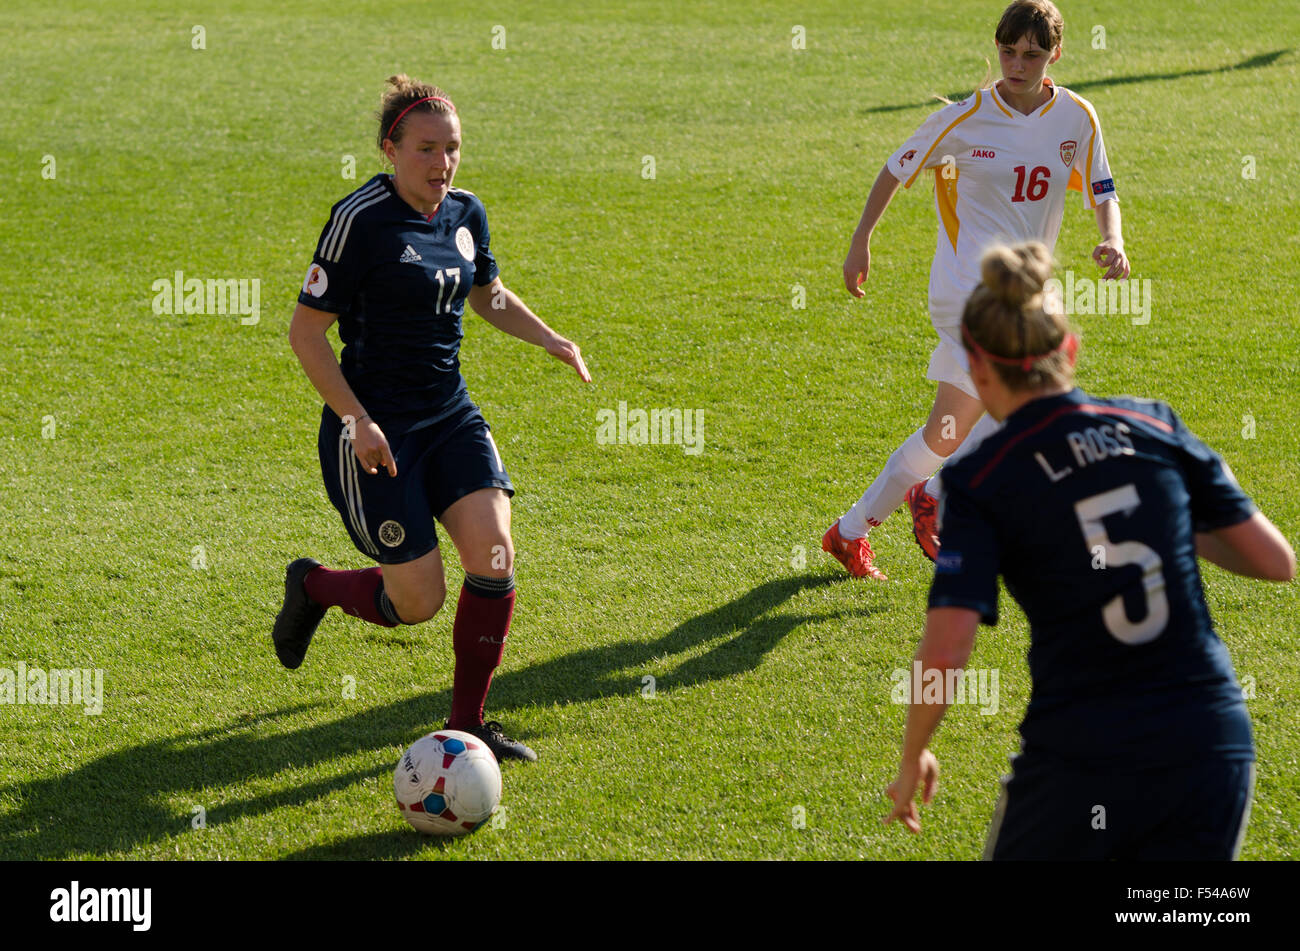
{"type": "Point", "coordinates": [947, 646]}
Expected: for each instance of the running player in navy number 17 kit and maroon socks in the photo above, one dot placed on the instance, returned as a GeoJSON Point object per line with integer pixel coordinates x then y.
{"type": "Point", "coordinates": [401, 444]}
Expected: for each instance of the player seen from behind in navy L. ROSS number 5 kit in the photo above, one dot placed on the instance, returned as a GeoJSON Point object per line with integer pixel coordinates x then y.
{"type": "Point", "coordinates": [1137, 744]}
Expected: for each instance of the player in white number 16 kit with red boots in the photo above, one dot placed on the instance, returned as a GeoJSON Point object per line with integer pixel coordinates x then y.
{"type": "Point", "coordinates": [1002, 160]}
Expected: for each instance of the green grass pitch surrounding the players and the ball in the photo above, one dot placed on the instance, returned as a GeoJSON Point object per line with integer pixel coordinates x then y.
{"type": "Point", "coordinates": [158, 471]}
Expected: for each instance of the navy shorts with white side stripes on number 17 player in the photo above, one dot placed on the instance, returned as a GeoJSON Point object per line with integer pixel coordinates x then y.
{"type": "Point", "coordinates": [389, 519]}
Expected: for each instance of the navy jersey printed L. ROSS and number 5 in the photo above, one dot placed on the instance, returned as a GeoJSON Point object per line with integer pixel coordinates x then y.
{"type": "Point", "coordinates": [1089, 510]}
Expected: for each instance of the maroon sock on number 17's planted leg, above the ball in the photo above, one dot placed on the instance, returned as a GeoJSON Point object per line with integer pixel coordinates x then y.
{"type": "Point", "coordinates": [479, 640]}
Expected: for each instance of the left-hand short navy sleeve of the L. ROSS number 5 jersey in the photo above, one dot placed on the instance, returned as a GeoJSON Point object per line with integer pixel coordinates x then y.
{"type": "Point", "coordinates": [968, 564]}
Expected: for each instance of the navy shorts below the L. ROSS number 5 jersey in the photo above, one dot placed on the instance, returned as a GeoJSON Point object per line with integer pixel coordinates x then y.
{"type": "Point", "coordinates": [1052, 810]}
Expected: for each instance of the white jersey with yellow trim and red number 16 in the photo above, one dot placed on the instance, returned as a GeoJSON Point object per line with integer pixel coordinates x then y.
{"type": "Point", "coordinates": [1000, 177]}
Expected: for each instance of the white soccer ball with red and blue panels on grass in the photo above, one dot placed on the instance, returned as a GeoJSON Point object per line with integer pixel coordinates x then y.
{"type": "Point", "coordinates": [448, 784]}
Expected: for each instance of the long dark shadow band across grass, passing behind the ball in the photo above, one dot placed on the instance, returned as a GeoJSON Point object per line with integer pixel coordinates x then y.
{"type": "Point", "coordinates": [151, 792]}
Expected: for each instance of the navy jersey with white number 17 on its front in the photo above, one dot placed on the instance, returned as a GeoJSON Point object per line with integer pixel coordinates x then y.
{"type": "Point", "coordinates": [398, 284]}
